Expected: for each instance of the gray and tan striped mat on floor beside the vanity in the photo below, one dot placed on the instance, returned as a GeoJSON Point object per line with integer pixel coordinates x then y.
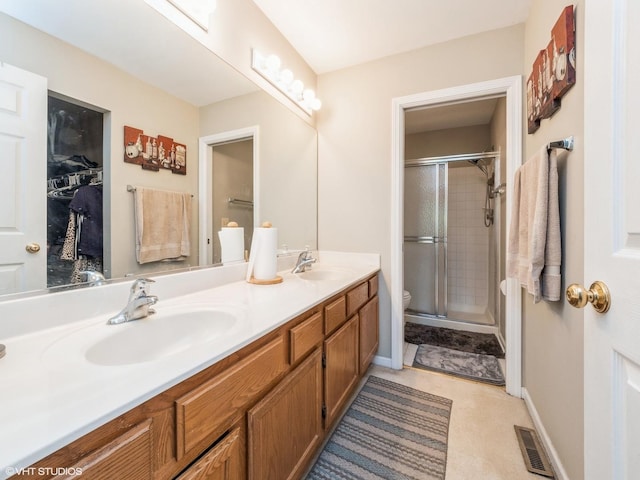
{"type": "Point", "coordinates": [390, 432]}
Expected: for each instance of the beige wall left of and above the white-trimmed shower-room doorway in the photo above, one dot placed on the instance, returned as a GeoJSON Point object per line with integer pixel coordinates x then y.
{"type": "Point", "coordinates": [354, 138]}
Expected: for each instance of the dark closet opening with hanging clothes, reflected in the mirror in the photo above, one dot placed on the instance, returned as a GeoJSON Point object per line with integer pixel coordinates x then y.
{"type": "Point", "coordinates": [75, 149]}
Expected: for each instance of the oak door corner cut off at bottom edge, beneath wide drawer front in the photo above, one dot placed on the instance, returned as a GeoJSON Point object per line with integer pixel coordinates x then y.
{"type": "Point", "coordinates": [222, 461]}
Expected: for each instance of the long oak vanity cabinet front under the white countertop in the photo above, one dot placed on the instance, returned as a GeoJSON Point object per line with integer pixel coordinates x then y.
{"type": "Point", "coordinates": [256, 414]}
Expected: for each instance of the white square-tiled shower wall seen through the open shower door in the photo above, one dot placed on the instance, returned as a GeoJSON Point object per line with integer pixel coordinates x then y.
{"type": "Point", "coordinates": [468, 241]}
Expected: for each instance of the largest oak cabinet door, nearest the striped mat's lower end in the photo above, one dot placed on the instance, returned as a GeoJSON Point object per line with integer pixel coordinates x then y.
{"type": "Point", "coordinates": [285, 428]}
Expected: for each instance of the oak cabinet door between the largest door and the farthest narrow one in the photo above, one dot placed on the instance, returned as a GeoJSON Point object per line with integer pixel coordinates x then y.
{"type": "Point", "coordinates": [341, 368]}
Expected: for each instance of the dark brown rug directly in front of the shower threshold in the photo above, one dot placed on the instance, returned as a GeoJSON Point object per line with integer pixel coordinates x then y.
{"type": "Point", "coordinates": [482, 343]}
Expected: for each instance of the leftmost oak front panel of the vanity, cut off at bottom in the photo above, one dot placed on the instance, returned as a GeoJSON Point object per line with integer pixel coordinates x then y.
{"type": "Point", "coordinates": [127, 457]}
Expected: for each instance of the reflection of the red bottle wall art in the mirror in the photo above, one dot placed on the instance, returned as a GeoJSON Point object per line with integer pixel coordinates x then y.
{"type": "Point", "coordinates": [154, 153]}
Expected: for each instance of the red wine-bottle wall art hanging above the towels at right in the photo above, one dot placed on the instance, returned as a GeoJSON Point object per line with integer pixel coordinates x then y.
{"type": "Point", "coordinates": [553, 72]}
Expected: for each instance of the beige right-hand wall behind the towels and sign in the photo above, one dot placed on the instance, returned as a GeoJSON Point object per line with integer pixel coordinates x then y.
{"type": "Point", "coordinates": [553, 332]}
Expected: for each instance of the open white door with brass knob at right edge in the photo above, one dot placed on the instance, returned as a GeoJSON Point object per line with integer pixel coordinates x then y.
{"type": "Point", "coordinates": [612, 238]}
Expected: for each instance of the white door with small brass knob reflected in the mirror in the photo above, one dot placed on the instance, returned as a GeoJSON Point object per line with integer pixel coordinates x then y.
{"type": "Point", "coordinates": [23, 166]}
